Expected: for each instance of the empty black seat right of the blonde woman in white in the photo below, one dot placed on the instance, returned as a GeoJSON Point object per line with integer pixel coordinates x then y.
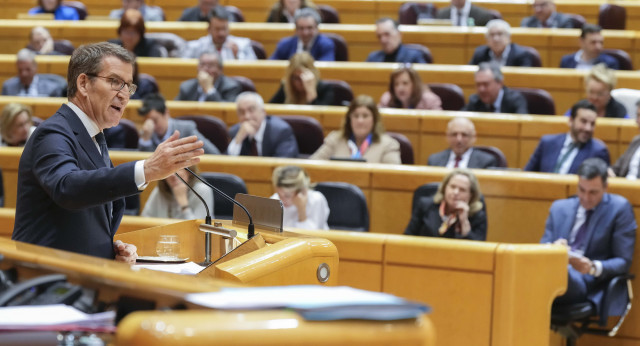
{"type": "Point", "coordinates": [347, 206]}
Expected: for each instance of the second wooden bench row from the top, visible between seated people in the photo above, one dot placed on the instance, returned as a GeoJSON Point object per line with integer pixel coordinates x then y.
{"type": "Point", "coordinates": [451, 45]}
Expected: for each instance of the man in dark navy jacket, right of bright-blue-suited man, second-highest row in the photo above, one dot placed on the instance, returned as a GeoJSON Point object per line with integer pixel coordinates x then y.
{"type": "Point", "coordinates": [392, 49]}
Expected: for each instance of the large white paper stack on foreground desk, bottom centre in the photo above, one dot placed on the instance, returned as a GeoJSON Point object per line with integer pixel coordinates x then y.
{"type": "Point", "coordinates": [314, 302]}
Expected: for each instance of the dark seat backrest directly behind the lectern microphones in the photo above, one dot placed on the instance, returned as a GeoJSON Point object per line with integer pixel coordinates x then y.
{"type": "Point", "coordinates": [229, 184]}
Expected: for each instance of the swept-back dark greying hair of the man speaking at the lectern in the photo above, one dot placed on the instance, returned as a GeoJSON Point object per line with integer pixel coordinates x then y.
{"type": "Point", "coordinates": [88, 58]}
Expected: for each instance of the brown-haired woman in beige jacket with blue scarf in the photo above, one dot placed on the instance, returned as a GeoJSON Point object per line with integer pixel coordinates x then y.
{"type": "Point", "coordinates": [361, 137]}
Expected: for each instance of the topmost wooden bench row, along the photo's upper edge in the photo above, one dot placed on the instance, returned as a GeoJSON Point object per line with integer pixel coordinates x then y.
{"type": "Point", "coordinates": [352, 11]}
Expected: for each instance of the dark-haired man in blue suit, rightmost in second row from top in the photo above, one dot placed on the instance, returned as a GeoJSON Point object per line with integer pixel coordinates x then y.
{"type": "Point", "coordinates": [590, 53]}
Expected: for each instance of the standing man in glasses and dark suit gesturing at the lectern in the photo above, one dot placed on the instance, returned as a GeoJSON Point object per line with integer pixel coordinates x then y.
{"type": "Point", "coordinates": [70, 196]}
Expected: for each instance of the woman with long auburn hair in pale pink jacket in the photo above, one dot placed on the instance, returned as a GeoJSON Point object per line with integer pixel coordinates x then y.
{"type": "Point", "coordinates": [407, 91]}
